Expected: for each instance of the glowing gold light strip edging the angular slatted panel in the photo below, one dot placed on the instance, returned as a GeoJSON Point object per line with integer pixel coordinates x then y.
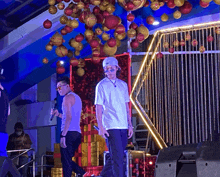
{"type": "Point", "coordinates": [141, 69]}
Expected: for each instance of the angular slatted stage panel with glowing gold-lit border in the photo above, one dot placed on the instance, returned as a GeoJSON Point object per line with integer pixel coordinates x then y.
{"type": "Point", "coordinates": [177, 94]}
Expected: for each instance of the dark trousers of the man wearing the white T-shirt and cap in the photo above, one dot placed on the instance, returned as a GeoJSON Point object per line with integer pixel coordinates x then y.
{"type": "Point", "coordinates": [116, 143]}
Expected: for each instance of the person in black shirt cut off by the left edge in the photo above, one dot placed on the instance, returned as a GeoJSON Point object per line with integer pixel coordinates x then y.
{"type": "Point", "coordinates": [6, 165]}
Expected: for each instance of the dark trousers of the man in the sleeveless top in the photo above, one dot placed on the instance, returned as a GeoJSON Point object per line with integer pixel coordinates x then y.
{"type": "Point", "coordinates": [73, 140]}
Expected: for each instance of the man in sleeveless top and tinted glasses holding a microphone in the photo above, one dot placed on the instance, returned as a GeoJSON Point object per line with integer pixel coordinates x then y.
{"type": "Point", "coordinates": [70, 137]}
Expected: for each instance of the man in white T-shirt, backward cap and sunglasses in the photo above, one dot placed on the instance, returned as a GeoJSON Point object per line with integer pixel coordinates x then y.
{"type": "Point", "coordinates": [113, 116]}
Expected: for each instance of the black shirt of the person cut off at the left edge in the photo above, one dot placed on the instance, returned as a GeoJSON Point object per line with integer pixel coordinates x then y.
{"type": "Point", "coordinates": [4, 106]}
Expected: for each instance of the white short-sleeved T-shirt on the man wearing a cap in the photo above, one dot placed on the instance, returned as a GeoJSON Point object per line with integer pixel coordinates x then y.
{"type": "Point", "coordinates": [113, 100]}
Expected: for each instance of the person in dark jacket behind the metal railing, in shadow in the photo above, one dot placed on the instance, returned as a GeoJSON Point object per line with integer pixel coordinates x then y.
{"type": "Point", "coordinates": [17, 141]}
